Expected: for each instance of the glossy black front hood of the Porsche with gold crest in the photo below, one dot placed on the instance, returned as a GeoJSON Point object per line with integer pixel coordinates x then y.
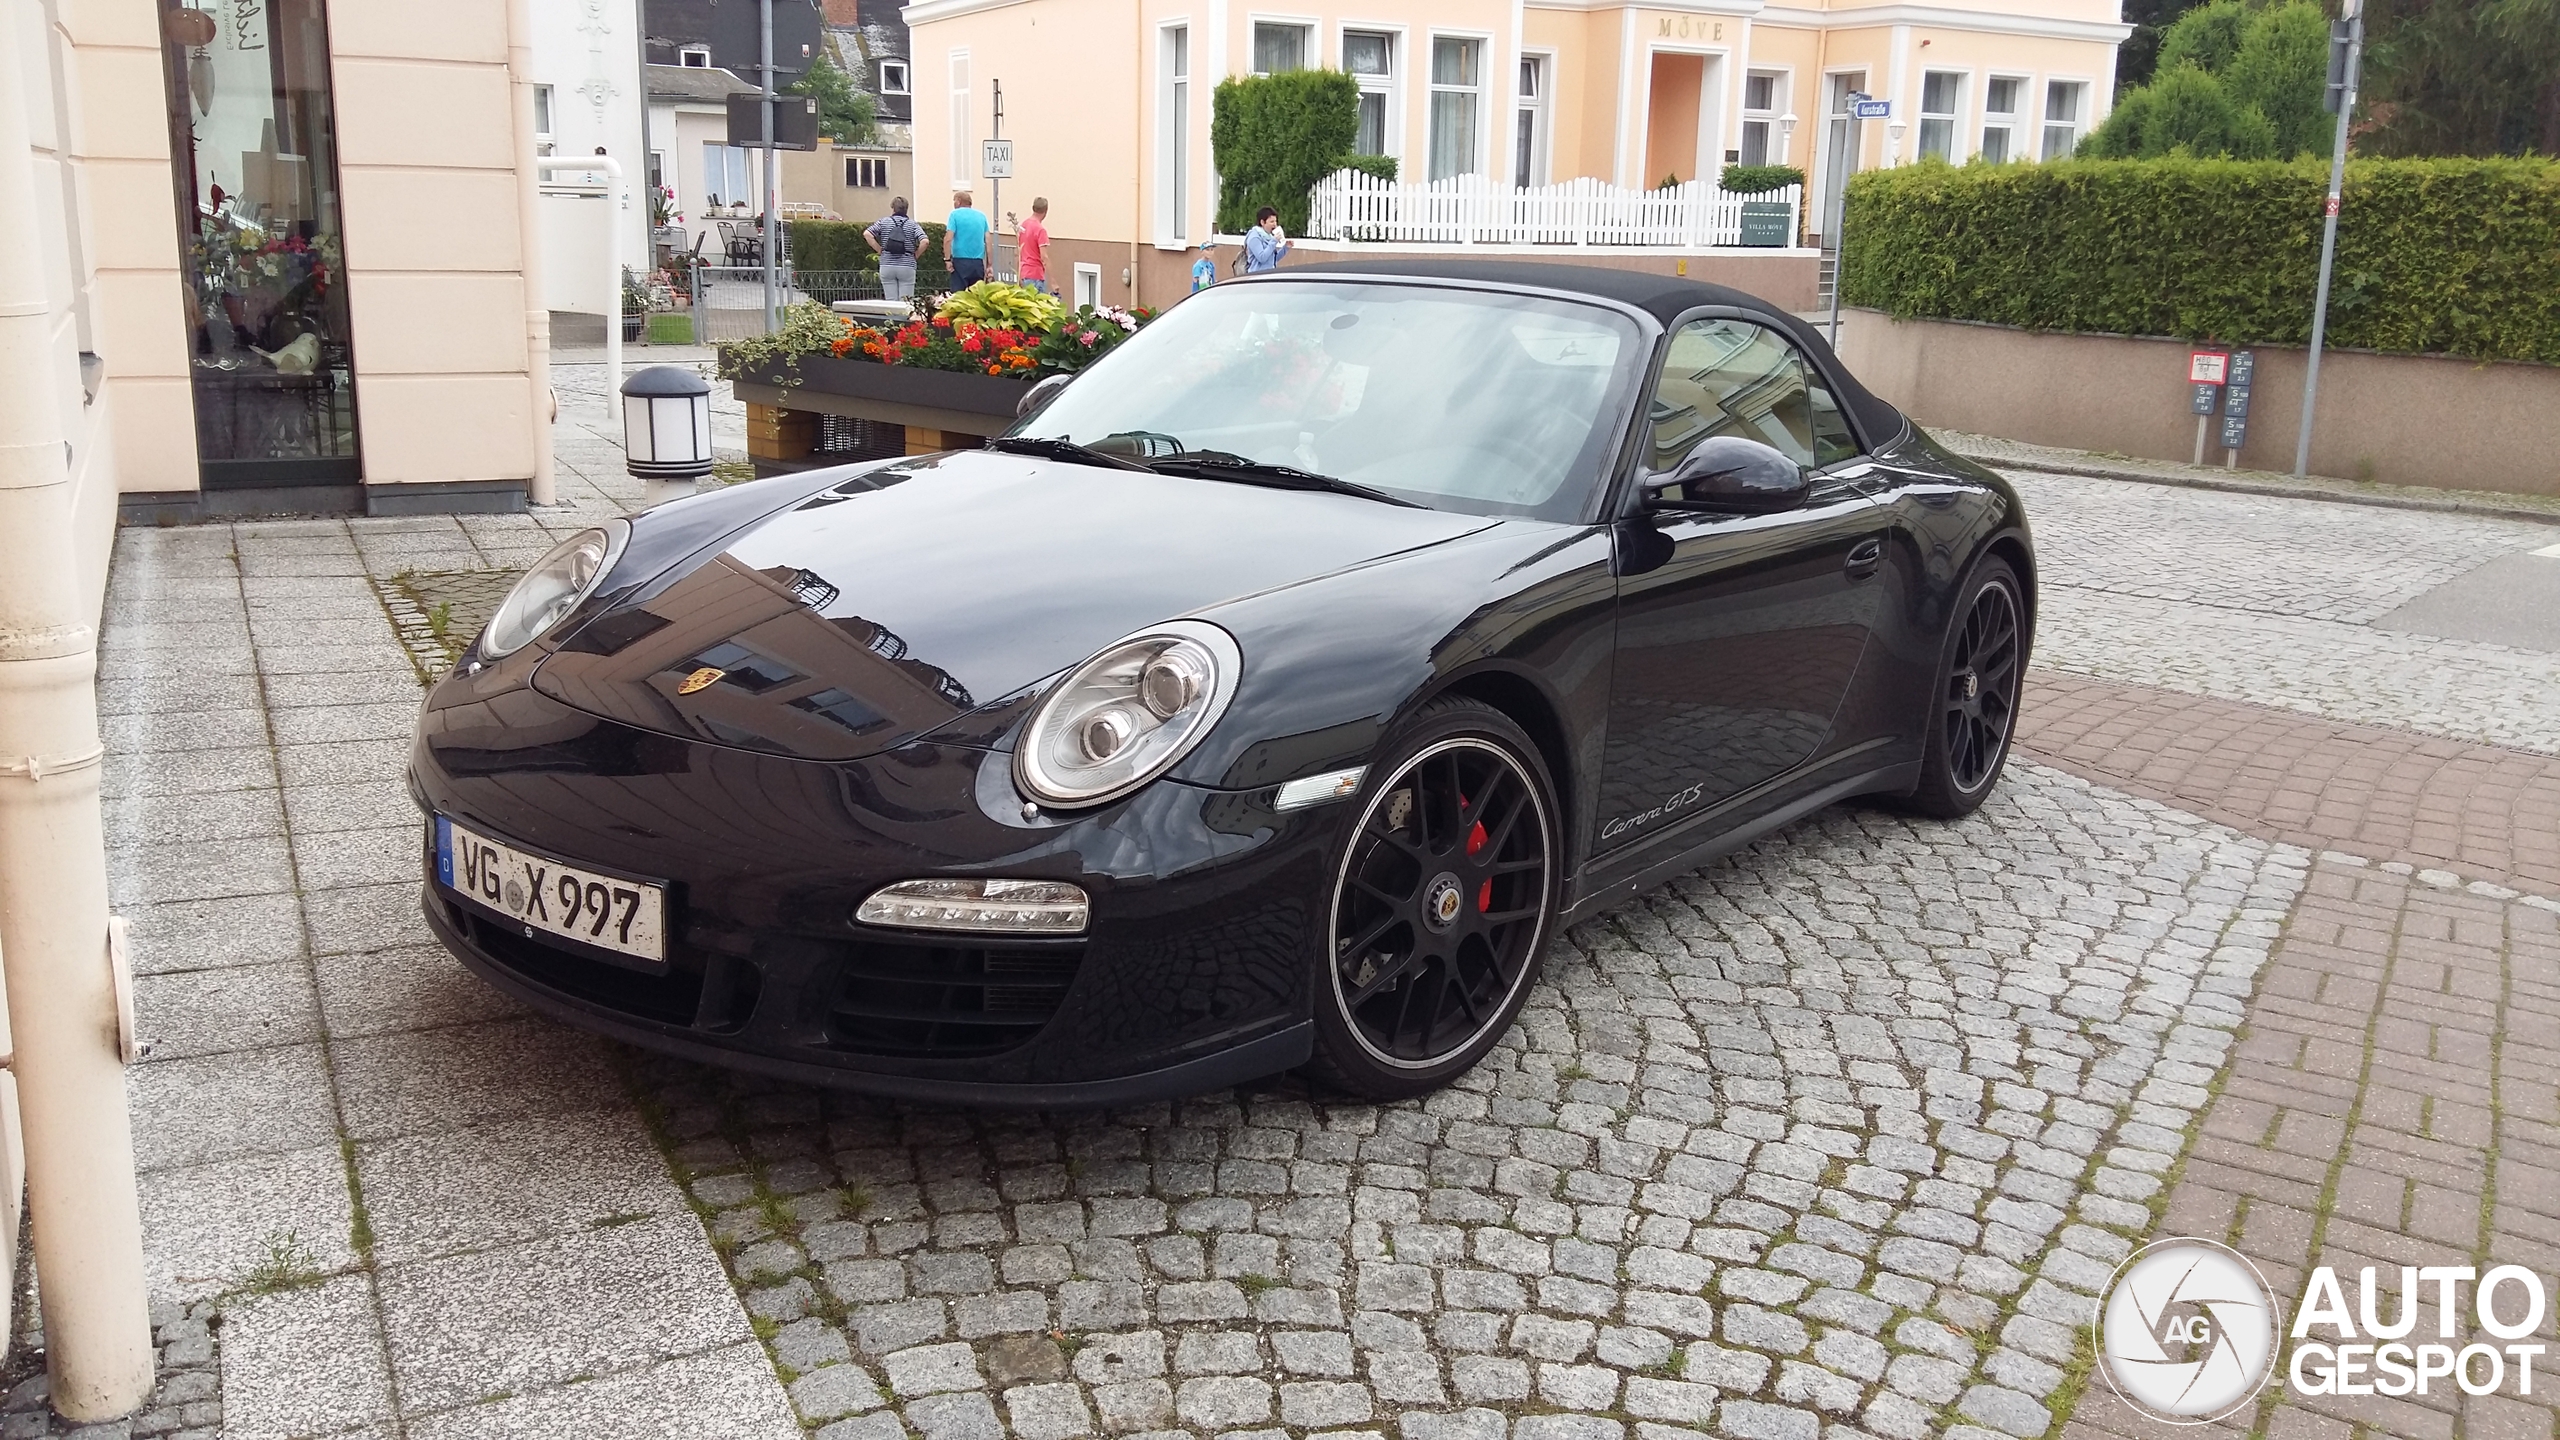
{"type": "Point", "coordinates": [913, 596]}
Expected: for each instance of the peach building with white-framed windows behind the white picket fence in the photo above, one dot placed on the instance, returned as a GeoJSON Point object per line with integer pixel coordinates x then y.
{"type": "Point", "coordinates": [1107, 101]}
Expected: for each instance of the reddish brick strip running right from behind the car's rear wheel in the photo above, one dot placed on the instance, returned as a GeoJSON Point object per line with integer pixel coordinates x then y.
{"type": "Point", "coordinates": [2305, 780]}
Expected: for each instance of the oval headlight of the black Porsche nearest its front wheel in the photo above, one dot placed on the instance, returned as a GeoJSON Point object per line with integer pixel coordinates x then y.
{"type": "Point", "coordinates": [1128, 716]}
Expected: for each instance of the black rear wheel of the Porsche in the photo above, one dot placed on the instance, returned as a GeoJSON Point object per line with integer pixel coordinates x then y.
{"type": "Point", "coordinates": [1972, 708]}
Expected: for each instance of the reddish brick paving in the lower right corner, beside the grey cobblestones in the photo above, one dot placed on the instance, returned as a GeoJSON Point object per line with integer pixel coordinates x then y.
{"type": "Point", "coordinates": [2392, 1103]}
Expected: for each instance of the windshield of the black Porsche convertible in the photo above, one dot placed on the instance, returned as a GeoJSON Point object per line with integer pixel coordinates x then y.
{"type": "Point", "coordinates": [1450, 398]}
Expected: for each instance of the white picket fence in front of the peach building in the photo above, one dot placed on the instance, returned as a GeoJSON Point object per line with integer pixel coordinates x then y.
{"type": "Point", "coordinates": [1476, 211]}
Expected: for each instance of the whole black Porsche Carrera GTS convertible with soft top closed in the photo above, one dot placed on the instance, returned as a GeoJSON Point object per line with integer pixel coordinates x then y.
{"type": "Point", "coordinates": [1266, 698]}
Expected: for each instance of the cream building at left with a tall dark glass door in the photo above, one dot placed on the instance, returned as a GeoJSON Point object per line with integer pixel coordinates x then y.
{"type": "Point", "coordinates": [288, 255]}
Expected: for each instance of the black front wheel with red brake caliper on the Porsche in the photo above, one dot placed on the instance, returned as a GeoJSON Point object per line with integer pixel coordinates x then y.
{"type": "Point", "coordinates": [1440, 908]}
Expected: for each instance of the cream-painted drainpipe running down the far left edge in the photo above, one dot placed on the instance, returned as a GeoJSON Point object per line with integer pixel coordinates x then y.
{"type": "Point", "coordinates": [63, 993]}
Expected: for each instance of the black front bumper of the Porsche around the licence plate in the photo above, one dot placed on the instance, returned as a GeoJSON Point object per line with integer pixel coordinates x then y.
{"type": "Point", "coordinates": [1192, 975]}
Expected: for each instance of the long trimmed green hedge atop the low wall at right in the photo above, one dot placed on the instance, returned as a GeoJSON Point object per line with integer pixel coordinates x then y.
{"type": "Point", "coordinates": [2433, 255]}
